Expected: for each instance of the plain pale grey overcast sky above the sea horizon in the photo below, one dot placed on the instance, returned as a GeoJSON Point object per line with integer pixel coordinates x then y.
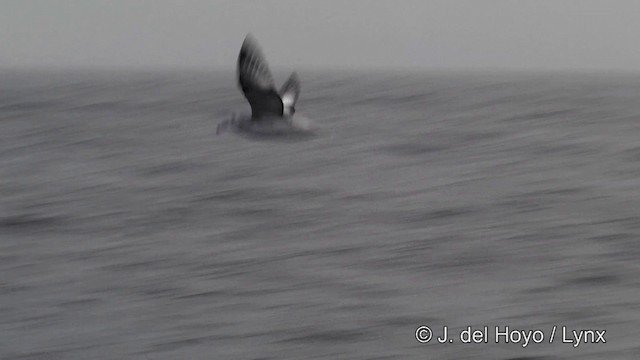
{"type": "Point", "coordinates": [516, 34]}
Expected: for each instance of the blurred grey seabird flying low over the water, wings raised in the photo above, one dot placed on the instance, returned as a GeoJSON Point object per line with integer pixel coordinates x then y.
{"type": "Point", "coordinates": [272, 111]}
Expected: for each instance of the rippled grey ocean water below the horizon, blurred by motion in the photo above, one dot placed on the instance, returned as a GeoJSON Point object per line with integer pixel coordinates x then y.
{"type": "Point", "coordinates": [129, 230]}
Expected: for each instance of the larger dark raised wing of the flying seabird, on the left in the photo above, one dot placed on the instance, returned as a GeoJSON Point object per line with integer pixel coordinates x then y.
{"type": "Point", "coordinates": [256, 82]}
